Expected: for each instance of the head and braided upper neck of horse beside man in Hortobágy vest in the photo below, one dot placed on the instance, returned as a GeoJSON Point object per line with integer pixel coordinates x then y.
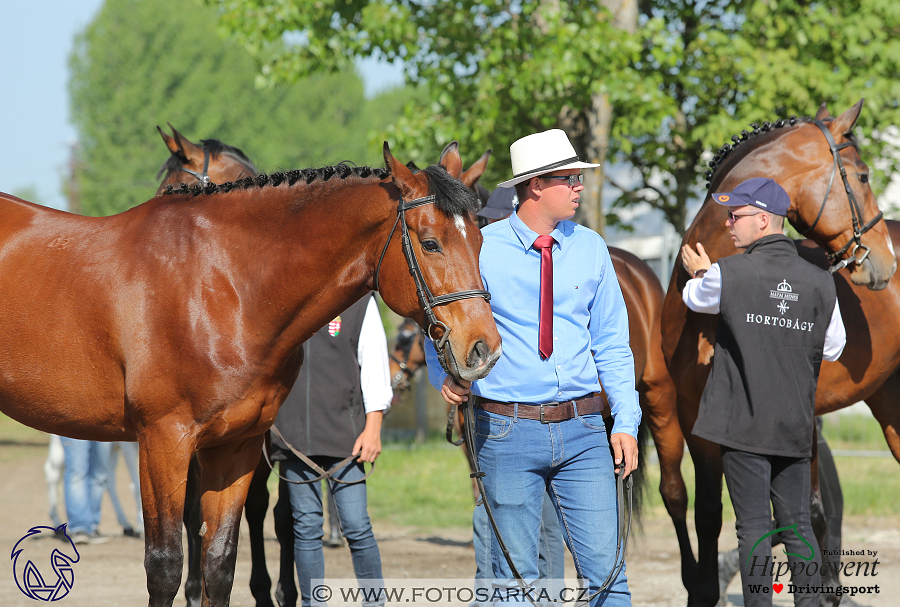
{"type": "Point", "coordinates": [816, 160]}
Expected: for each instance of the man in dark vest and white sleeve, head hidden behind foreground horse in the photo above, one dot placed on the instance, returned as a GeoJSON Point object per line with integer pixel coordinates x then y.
{"type": "Point", "coordinates": [334, 411]}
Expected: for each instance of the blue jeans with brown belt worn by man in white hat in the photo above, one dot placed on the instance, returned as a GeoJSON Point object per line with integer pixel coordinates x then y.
{"type": "Point", "coordinates": [571, 460]}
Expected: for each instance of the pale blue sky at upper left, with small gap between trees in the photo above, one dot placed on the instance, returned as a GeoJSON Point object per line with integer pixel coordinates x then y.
{"type": "Point", "coordinates": [34, 103]}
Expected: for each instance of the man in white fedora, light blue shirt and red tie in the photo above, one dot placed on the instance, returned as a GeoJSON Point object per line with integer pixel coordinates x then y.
{"type": "Point", "coordinates": [539, 417]}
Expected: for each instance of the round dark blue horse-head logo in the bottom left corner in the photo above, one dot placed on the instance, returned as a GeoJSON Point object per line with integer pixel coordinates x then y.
{"type": "Point", "coordinates": [43, 571]}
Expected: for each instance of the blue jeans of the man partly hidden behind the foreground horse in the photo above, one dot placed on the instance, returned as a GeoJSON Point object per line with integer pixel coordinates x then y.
{"type": "Point", "coordinates": [306, 506]}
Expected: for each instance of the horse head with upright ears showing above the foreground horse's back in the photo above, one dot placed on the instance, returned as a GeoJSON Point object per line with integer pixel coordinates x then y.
{"type": "Point", "coordinates": [213, 161]}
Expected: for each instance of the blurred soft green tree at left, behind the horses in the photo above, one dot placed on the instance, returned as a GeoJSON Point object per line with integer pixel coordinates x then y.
{"type": "Point", "coordinates": [143, 63]}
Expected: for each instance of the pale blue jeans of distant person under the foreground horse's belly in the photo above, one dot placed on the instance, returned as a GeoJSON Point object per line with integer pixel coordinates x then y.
{"type": "Point", "coordinates": [87, 469]}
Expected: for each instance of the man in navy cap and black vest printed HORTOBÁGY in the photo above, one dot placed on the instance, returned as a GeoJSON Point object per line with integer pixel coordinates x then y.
{"type": "Point", "coordinates": [778, 318]}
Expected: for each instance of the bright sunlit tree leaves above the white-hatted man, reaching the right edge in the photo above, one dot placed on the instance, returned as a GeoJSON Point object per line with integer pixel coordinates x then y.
{"type": "Point", "coordinates": [692, 75]}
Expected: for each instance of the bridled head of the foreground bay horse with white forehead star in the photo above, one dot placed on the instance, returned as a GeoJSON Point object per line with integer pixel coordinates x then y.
{"type": "Point", "coordinates": [438, 252]}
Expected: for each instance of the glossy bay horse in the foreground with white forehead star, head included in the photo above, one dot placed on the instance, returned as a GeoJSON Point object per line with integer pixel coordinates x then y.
{"type": "Point", "coordinates": [182, 319]}
